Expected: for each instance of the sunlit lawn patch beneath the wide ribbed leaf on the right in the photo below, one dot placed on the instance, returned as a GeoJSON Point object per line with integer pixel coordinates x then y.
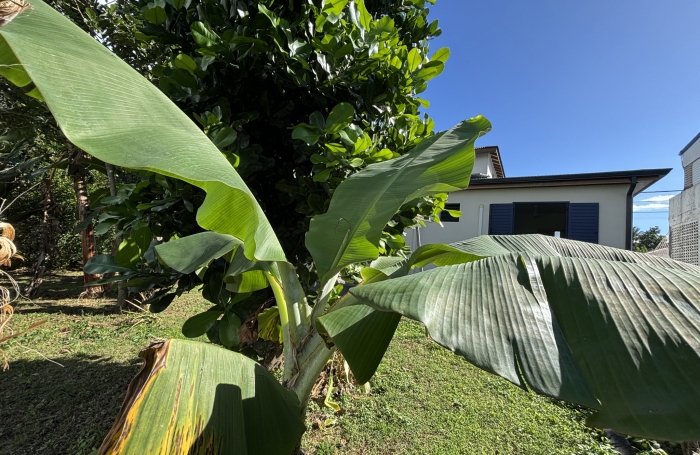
{"type": "Point", "coordinates": [426, 400]}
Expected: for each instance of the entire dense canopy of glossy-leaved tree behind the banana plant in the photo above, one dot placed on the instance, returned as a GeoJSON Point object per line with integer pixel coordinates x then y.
{"type": "Point", "coordinates": [297, 96]}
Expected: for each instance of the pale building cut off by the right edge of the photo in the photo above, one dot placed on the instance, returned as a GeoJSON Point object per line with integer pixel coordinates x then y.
{"type": "Point", "coordinates": [684, 208]}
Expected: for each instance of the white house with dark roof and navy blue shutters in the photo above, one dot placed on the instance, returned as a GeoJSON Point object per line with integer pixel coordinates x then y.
{"type": "Point", "coordinates": [593, 207]}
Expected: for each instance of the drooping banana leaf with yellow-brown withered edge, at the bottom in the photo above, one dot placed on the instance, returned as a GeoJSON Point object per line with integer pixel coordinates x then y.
{"type": "Point", "coordinates": [195, 398]}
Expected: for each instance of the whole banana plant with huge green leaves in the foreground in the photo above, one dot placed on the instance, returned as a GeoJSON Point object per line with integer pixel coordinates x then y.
{"type": "Point", "coordinates": [611, 330]}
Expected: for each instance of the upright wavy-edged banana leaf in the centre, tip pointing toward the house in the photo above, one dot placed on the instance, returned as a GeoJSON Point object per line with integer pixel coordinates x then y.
{"type": "Point", "coordinates": [362, 205]}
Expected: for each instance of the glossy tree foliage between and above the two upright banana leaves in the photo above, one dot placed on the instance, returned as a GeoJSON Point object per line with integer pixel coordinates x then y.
{"type": "Point", "coordinates": [339, 74]}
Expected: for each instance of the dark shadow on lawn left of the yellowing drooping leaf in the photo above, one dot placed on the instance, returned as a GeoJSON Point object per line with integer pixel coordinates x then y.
{"type": "Point", "coordinates": [53, 410]}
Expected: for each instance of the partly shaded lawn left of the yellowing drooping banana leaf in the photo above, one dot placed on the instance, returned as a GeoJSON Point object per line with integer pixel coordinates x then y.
{"type": "Point", "coordinates": [47, 408]}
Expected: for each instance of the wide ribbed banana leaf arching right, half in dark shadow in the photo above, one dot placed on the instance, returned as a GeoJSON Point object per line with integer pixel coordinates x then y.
{"type": "Point", "coordinates": [612, 330]}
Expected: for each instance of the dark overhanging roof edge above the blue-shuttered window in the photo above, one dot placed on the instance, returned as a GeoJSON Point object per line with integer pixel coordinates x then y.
{"type": "Point", "coordinates": [645, 178]}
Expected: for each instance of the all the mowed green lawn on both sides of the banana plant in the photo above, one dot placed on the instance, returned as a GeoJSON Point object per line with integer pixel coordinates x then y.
{"type": "Point", "coordinates": [423, 400]}
